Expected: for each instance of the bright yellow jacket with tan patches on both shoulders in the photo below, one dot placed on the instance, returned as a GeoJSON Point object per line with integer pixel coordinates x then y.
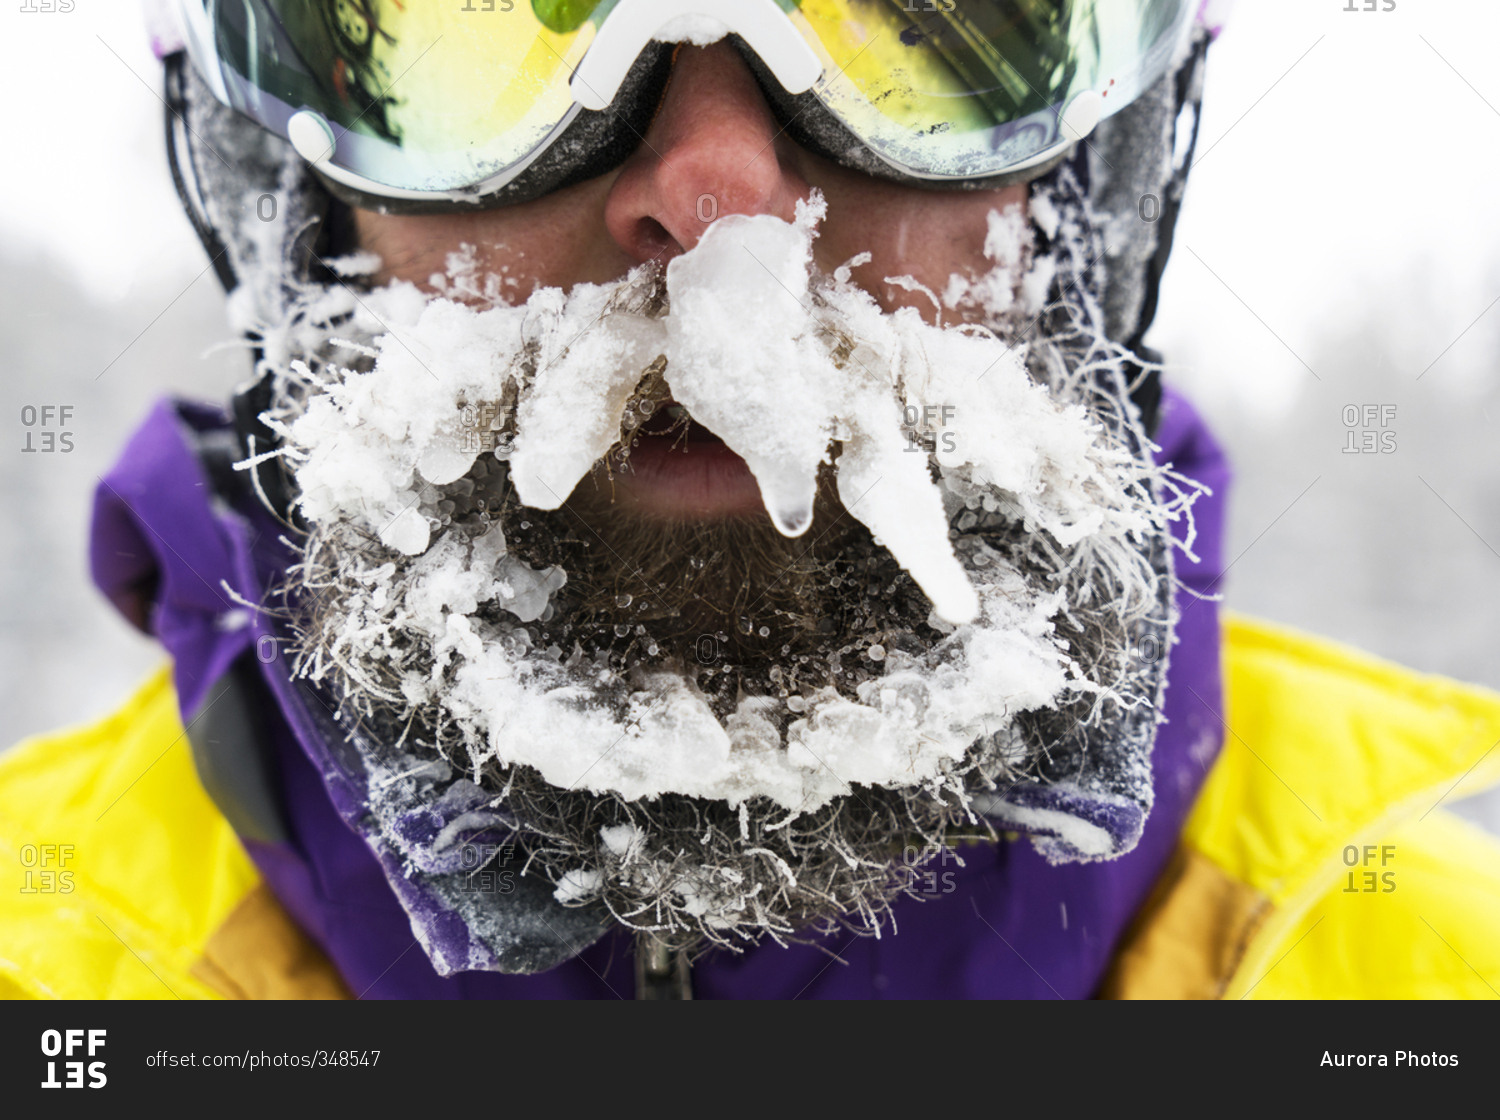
{"type": "Point", "coordinates": [1318, 863]}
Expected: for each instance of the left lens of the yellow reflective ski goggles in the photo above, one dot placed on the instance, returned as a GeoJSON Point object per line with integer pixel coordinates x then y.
{"type": "Point", "coordinates": [419, 95]}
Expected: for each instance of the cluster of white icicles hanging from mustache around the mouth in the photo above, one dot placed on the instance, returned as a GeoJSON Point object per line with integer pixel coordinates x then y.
{"type": "Point", "coordinates": [752, 356]}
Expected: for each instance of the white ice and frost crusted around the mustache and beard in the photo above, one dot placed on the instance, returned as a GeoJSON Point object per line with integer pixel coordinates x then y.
{"type": "Point", "coordinates": [1030, 520]}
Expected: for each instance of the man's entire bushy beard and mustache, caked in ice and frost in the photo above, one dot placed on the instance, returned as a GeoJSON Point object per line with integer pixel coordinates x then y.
{"type": "Point", "coordinates": [721, 731]}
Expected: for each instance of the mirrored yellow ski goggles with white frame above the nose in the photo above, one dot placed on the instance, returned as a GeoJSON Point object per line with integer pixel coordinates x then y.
{"type": "Point", "coordinates": [421, 104]}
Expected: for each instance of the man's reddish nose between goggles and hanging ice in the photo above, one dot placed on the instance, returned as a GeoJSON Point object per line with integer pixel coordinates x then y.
{"type": "Point", "coordinates": [710, 151]}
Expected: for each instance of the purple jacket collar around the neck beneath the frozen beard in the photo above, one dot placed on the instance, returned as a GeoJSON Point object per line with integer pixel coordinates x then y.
{"type": "Point", "coordinates": [167, 551]}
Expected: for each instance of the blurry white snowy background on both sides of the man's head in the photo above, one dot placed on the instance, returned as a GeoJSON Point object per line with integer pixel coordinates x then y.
{"type": "Point", "coordinates": [1339, 250]}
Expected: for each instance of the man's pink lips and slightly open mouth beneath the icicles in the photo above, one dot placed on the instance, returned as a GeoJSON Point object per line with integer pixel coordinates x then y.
{"type": "Point", "coordinates": [679, 470]}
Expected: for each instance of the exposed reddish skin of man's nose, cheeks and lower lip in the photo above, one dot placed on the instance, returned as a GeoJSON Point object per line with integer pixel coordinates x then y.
{"type": "Point", "coordinates": [713, 149]}
